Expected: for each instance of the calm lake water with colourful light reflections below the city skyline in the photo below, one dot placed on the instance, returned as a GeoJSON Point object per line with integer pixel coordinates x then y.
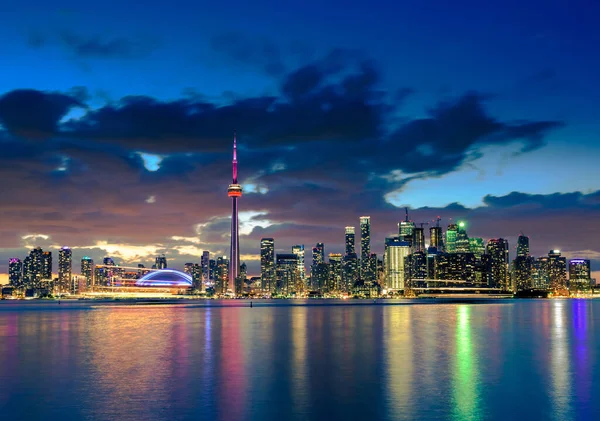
{"type": "Point", "coordinates": [507, 360]}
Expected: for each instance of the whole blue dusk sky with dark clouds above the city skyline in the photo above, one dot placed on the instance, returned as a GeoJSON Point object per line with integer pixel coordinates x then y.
{"type": "Point", "coordinates": [116, 124]}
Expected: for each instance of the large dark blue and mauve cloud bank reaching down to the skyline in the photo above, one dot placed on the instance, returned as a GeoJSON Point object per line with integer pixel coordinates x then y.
{"type": "Point", "coordinates": [324, 150]}
